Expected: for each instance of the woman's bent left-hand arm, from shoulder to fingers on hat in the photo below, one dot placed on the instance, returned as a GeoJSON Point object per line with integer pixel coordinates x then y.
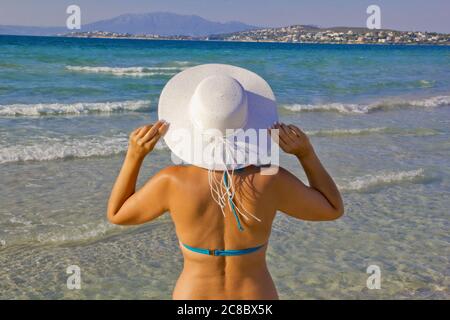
{"type": "Point", "coordinates": [125, 206]}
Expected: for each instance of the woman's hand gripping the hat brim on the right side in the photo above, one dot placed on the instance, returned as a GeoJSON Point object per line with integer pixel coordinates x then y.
{"type": "Point", "coordinates": [292, 140]}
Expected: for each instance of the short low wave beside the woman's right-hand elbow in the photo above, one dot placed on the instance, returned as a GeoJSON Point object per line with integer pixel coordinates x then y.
{"type": "Point", "coordinates": [382, 179]}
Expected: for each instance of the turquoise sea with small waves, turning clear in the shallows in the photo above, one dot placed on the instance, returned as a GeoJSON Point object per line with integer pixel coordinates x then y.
{"type": "Point", "coordinates": [378, 116]}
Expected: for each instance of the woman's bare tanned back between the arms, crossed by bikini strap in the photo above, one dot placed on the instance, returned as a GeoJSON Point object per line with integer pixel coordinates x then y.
{"type": "Point", "coordinates": [200, 223]}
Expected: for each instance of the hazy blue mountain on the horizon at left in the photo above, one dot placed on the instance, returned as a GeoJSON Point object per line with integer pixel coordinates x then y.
{"type": "Point", "coordinates": [161, 23]}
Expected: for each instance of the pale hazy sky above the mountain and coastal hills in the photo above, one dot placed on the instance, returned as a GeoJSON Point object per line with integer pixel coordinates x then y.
{"type": "Point", "coordinates": [429, 15]}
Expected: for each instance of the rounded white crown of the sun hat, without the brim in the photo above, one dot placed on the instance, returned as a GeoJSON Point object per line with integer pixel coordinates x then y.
{"type": "Point", "coordinates": [219, 102]}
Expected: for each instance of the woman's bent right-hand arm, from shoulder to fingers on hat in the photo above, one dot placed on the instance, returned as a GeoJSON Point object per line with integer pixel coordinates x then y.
{"type": "Point", "coordinates": [321, 200]}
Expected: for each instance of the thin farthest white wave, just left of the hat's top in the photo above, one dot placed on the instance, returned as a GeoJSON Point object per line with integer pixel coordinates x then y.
{"type": "Point", "coordinates": [128, 71]}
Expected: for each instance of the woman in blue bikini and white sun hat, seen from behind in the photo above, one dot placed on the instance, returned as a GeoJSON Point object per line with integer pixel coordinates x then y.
{"type": "Point", "coordinates": [222, 212]}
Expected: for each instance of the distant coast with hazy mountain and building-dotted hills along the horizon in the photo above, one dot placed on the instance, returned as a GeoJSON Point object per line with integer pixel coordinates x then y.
{"type": "Point", "coordinates": [172, 26]}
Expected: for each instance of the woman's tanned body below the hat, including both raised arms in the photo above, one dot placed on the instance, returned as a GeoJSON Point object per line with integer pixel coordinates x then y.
{"type": "Point", "coordinates": [187, 192]}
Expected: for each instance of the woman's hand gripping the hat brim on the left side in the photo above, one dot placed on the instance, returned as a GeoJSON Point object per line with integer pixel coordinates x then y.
{"type": "Point", "coordinates": [143, 139]}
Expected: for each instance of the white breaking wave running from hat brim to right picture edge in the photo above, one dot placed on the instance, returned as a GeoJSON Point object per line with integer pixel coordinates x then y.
{"type": "Point", "coordinates": [431, 102]}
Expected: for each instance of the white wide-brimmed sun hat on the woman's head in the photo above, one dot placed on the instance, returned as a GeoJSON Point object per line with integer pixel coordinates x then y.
{"type": "Point", "coordinates": [218, 115]}
